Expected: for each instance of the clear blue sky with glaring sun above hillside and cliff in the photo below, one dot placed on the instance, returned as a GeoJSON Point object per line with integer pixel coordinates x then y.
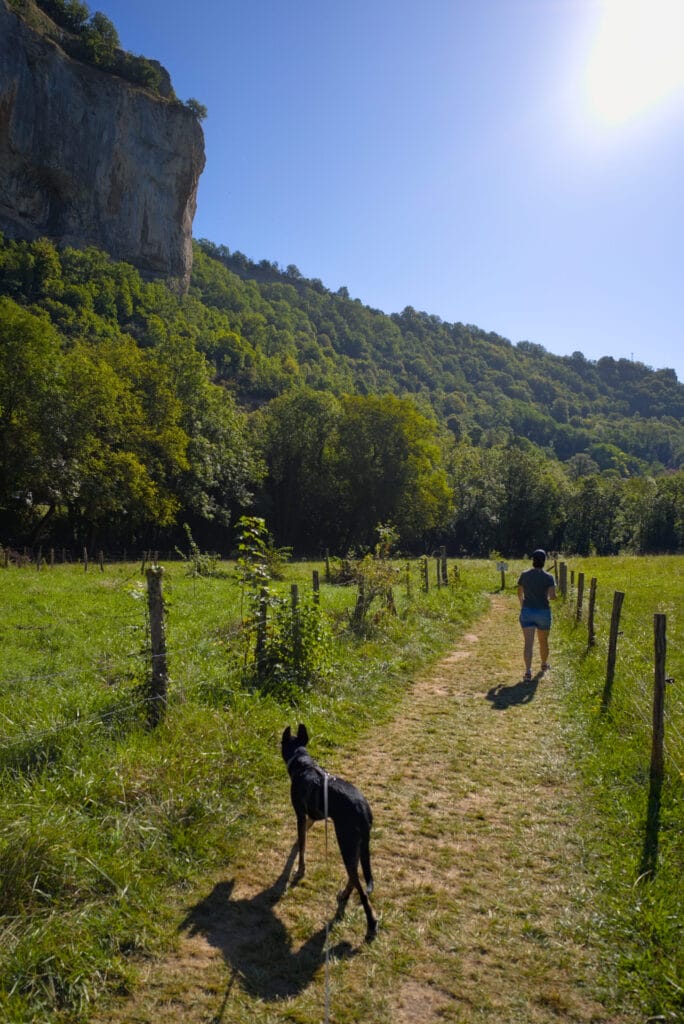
{"type": "Point", "coordinates": [512, 164]}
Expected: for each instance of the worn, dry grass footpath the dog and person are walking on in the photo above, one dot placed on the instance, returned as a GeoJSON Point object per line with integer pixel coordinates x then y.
{"type": "Point", "coordinates": [481, 877]}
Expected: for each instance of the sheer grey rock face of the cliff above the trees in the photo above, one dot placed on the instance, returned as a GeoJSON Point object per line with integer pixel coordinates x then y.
{"type": "Point", "coordinates": [88, 158]}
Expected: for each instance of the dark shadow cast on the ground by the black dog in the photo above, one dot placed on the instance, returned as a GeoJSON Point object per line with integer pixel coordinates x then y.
{"type": "Point", "coordinates": [255, 944]}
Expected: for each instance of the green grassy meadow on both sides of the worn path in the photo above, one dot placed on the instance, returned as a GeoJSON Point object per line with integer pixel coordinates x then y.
{"type": "Point", "coordinates": [106, 825]}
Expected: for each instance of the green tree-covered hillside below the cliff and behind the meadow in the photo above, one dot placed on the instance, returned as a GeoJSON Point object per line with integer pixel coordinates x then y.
{"type": "Point", "coordinates": [127, 411]}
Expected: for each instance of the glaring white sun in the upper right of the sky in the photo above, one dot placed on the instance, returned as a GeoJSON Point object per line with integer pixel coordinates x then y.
{"type": "Point", "coordinates": [637, 59]}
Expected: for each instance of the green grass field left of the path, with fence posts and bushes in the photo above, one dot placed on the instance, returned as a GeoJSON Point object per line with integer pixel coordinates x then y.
{"type": "Point", "coordinates": [105, 823]}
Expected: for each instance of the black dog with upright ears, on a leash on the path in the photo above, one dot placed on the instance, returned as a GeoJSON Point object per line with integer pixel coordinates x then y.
{"type": "Point", "coordinates": [349, 809]}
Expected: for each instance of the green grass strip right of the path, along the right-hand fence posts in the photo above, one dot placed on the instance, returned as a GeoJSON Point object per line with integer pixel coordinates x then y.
{"type": "Point", "coordinates": [640, 869]}
